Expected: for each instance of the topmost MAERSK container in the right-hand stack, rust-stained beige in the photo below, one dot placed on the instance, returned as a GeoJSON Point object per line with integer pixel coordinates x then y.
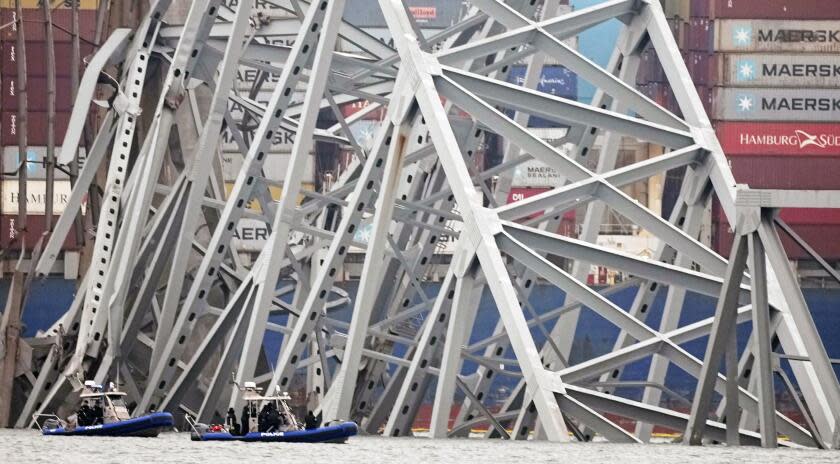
{"type": "Point", "coordinates": [745, 35]}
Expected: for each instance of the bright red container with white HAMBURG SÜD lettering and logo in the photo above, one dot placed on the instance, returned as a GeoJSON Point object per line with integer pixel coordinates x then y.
{"type": "Point", "coordinates": [784, 138]}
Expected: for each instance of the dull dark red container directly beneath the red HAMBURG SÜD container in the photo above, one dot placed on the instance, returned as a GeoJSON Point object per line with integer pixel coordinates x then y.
{"type": "Point", "coordinates": [787, 172]}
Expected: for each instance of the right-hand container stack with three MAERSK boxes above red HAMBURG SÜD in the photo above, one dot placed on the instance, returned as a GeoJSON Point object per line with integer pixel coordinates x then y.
{"type": "Point", "coordinates": [776, 73]}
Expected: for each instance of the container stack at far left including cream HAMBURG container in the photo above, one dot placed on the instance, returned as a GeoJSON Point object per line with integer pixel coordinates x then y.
{"type": "Point", "coordinates": [11, 161]}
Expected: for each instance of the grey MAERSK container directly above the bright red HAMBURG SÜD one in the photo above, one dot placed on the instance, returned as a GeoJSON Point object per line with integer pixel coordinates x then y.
{"type": "Point", "coordinates": [763, 104]}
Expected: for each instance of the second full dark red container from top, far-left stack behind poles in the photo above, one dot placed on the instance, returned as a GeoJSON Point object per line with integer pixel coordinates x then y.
{"type": "Point", "coordinates": [36, 63]}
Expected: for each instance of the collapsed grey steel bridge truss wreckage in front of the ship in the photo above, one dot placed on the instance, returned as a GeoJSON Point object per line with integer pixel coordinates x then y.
{"type": "Point", "coordinates": [169, 306]}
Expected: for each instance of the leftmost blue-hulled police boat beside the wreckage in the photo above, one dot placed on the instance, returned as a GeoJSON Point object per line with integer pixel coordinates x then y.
{"type": "Point", "coordinates": [104, 414]}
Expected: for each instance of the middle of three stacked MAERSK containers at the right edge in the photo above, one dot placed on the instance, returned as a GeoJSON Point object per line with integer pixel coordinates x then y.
{"type": "Point", "coordinates": [780, 70]}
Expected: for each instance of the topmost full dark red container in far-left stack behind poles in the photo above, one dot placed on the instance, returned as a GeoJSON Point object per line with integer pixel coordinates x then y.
{"type": "Point", "coordinates": [33, 25]}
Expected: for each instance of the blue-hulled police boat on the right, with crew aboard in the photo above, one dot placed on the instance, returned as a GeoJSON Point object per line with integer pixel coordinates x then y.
{"type": "Point", "coordinates": [270, 419]}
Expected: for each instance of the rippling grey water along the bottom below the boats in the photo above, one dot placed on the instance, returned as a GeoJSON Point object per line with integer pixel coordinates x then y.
{"type": "Point", "coordinates": [17, 446]}
